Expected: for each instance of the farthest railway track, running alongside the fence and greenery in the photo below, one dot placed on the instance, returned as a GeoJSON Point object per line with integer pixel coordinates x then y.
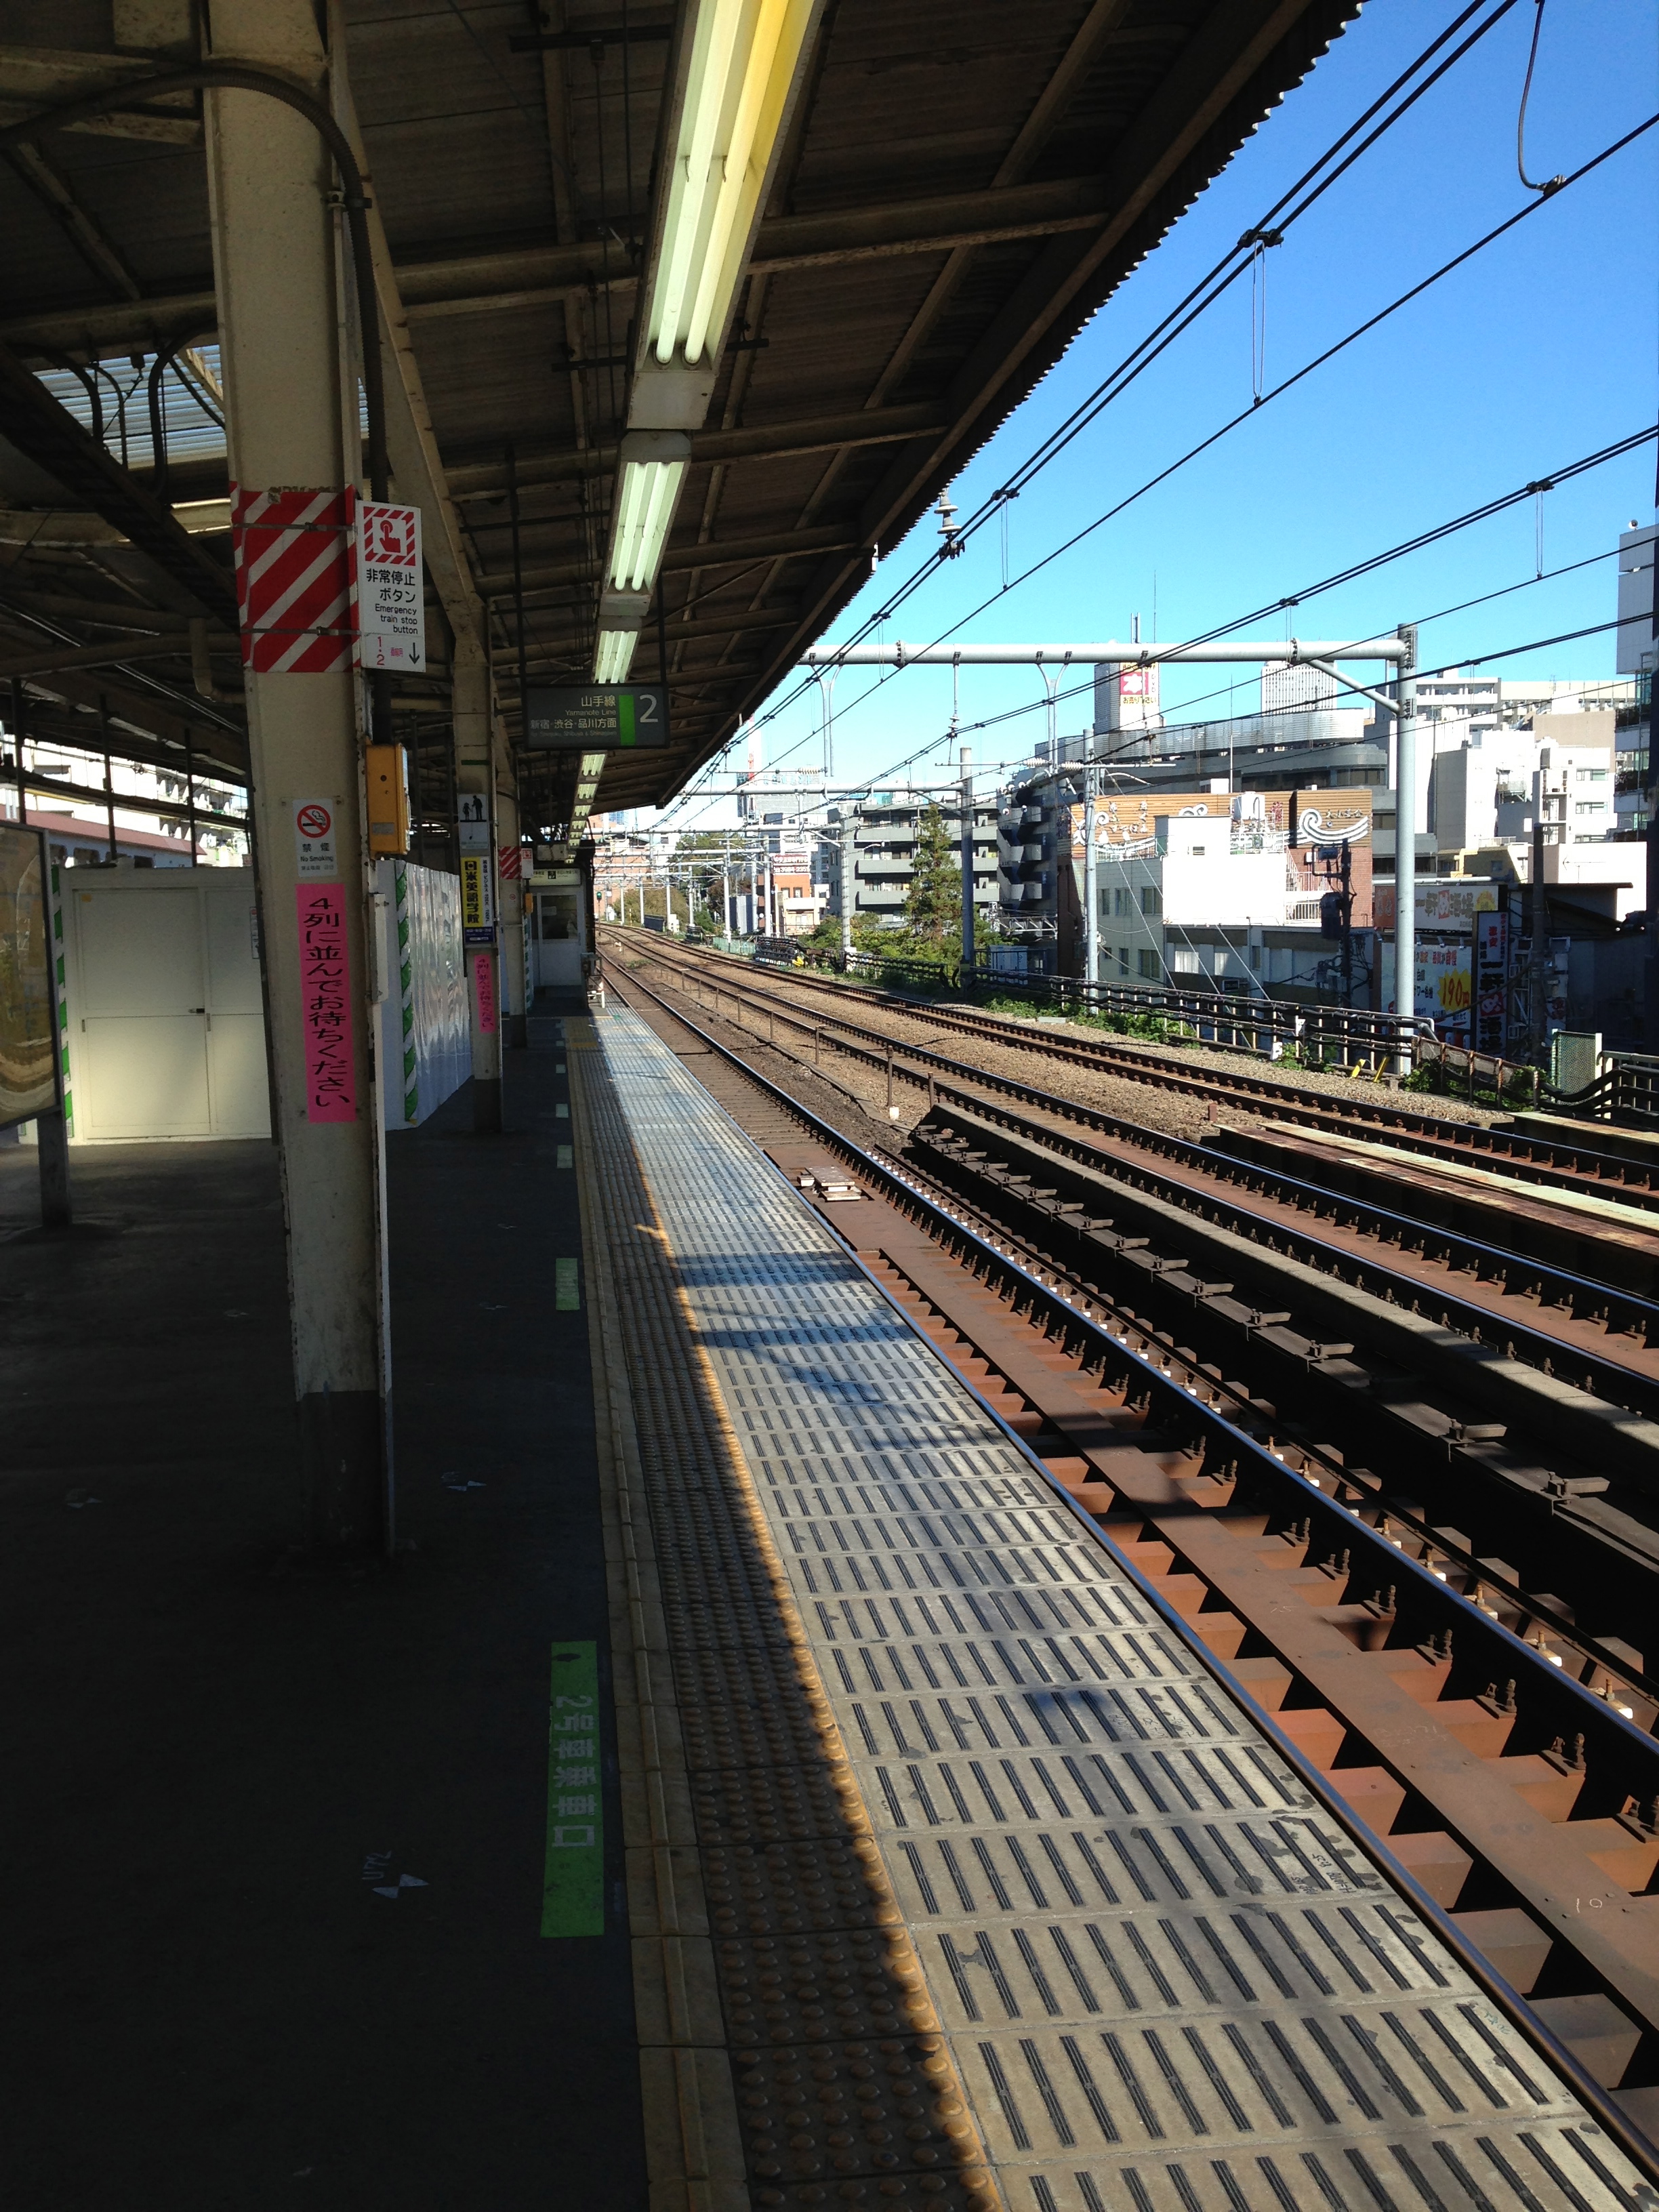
{"type": "Point", "coordinates": [1552, 1162]}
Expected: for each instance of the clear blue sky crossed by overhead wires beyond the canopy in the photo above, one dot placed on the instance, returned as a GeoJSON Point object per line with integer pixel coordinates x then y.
{"type": "Point", "coordinates": [1541, 351]}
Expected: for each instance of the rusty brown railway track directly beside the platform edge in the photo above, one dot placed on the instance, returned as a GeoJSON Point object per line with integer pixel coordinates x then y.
{"type": "Point", "coordinates": [1510, 1791]}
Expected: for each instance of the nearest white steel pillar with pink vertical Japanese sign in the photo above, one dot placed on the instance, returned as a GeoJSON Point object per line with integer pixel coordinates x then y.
{"type": "Point", "coordinates": [275, 271]}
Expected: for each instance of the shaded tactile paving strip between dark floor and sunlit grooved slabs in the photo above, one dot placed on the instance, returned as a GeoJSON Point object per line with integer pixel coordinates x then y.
{"type": "Point", "coordinates": [786, 1992]}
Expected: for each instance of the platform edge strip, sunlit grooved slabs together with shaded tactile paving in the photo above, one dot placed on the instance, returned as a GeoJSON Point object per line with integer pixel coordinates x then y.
{"type": "Point", "coordinates": [959, 1870]}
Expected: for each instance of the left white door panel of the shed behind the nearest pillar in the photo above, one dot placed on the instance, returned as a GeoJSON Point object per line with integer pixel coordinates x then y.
{"type": "Point", "coordinates": [143, 1041]}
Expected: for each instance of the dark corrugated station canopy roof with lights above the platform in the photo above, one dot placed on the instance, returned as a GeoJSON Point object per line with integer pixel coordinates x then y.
{"type": "Point", "coordinates": [705, 306]}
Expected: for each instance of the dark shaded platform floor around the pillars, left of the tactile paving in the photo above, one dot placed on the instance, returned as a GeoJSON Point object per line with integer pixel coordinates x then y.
{"type": "Point", "coordinates": [218, 1755]}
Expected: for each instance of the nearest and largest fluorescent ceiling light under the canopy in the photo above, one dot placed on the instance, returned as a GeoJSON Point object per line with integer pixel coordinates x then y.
{"type": "Point", "coordinates": [742, 65]}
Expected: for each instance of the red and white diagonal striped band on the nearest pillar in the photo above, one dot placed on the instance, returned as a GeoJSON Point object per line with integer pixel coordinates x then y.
{"type": "Point", "coordinates": [293, 581]}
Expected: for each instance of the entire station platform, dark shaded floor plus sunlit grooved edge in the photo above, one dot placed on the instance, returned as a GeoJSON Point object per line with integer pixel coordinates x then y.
{"type": "Point", "coordinates": [753, 1784]}
